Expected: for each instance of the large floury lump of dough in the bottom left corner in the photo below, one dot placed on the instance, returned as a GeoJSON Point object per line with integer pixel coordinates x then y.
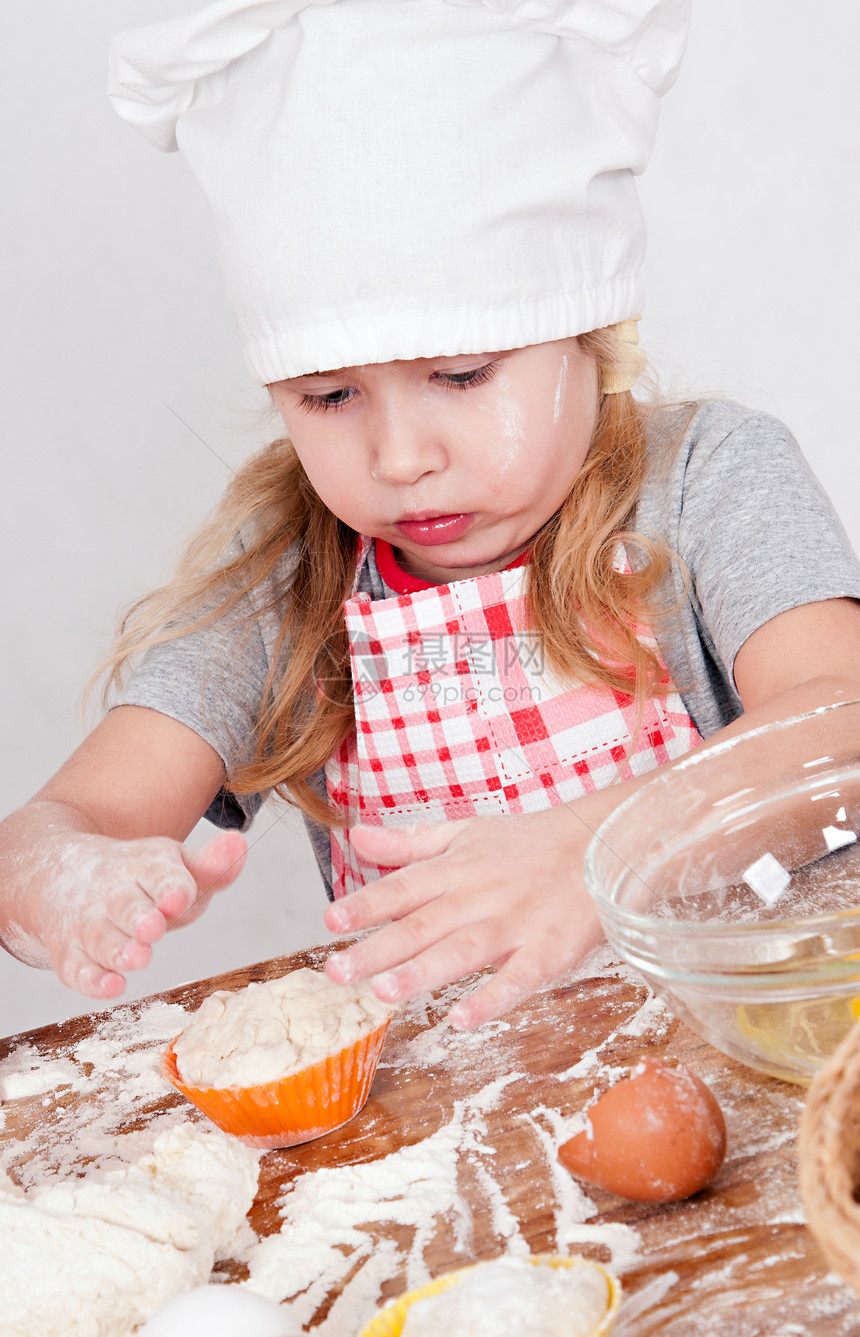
{"type": "Point", "coordinates": [97, 1257]}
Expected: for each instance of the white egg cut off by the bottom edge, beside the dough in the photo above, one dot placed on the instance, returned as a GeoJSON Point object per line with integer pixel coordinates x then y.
{"type": "Point", "coordinates": [221, 1311]}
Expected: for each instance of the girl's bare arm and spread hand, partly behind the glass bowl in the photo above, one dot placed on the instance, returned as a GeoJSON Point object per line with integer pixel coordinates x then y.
{"type": "Point", "coordinates": [509, 892]}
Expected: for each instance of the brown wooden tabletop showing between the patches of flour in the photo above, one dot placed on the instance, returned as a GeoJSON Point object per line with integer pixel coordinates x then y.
{"type": "Point", "coordinates": [736, 1260]}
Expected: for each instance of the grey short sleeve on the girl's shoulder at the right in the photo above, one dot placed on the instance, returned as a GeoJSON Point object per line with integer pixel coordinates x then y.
{"type": "Point", "coordinates": [758, 534]}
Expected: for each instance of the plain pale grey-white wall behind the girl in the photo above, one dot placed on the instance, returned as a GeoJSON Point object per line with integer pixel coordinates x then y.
{"type": "Point", "coordinates": [126, 402]}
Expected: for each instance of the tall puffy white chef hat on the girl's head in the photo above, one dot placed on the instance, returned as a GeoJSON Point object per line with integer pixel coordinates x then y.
{"type": "Point", "coordinates": [411, 178]}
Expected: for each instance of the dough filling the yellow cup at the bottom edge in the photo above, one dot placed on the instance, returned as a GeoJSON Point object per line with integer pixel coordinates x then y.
{"type": "Point", "coordinates": [513, 1298]}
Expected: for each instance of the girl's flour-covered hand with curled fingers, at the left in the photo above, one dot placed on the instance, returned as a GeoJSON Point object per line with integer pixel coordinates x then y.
{"type": "Point", "coordinates": [105, 902]}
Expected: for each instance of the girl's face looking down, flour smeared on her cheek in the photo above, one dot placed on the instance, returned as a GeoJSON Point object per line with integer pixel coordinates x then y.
{"type": "Point", "coordinates": [457, 462]}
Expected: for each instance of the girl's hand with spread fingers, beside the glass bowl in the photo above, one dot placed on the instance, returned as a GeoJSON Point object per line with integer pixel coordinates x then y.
{"type": "Point", "coordinates": [506, 892]}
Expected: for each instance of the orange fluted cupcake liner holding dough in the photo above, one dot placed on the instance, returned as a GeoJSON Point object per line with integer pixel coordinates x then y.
{"type": "Point", "coordinates": [296, 1109]}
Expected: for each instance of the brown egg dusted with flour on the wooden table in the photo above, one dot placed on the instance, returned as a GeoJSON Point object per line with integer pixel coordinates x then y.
{"type": "Point", "coordinates": [655, 1137]}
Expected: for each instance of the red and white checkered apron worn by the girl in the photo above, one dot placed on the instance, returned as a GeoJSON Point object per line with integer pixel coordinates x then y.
{"type": "Point", "coordinates": [457, 716]}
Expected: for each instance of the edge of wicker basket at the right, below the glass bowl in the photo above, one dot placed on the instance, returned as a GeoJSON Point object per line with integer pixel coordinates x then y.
{"type": "Point", "coordinates": [830, 1160]}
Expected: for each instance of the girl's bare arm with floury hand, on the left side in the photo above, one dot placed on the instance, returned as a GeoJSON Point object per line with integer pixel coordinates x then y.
{"type": "Point", "coordinates": [94, 868]}
